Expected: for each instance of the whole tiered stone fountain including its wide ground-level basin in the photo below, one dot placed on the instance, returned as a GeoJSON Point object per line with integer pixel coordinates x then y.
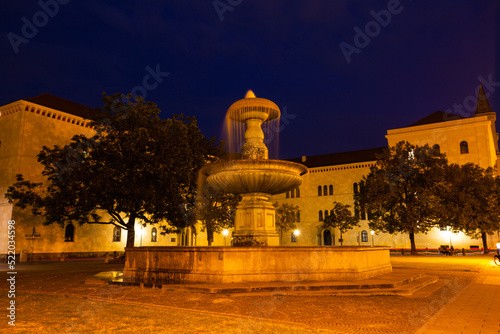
{"type": "Point", "coordinates": [258, 257]}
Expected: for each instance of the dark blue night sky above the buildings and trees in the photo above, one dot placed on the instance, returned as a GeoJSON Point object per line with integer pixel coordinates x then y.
{"type": "Point", "coordinates": [423, 56]}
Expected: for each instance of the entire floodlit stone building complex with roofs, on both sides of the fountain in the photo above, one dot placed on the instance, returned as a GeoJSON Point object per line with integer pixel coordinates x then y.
{"type": "Point", "coordinates": [28, 124]}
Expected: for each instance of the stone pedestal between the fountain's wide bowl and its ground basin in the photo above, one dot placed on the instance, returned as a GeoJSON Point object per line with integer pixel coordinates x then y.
{"type": "Point", "coordinates": [254, 223]}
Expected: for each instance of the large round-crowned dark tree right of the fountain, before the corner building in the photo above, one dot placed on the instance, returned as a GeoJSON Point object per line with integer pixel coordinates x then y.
{"type": "Point", "coordinates": [400, 193]}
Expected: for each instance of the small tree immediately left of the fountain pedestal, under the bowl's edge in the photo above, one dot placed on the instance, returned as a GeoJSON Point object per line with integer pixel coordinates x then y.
{"type": "Point", "coordinates": [216, 212]}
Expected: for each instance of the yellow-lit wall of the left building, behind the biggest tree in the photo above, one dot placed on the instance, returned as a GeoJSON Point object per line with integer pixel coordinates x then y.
{"type": "Point", "coordinates": [24, 129]}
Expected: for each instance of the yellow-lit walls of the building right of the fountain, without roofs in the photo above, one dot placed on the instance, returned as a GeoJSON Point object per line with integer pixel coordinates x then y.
{"type": "Point", "coordinates": [478, 131]}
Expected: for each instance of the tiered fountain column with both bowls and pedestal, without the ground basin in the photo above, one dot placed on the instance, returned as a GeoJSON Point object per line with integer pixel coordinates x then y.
{"type": "Point", "coordinates": [254, 177]}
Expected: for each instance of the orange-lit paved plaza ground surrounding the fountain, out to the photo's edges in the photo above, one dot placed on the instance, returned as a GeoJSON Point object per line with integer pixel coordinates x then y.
{"type": "Point", "coordinates": [63, 297]}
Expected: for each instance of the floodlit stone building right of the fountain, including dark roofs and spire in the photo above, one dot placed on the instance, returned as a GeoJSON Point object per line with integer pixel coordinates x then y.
{"type": "Point", "coordinates": [335, 177]}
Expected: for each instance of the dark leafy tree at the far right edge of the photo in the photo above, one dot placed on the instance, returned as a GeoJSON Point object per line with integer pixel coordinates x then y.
{"type": "Point", "coordinates": [469, 201]}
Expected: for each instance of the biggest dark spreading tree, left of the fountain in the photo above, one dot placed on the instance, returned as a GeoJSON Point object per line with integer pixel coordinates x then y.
{"type": "Point", "coordinates": [137, 168]}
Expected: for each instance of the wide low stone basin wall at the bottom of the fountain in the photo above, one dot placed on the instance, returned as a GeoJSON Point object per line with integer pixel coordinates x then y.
{"type": "Point", "coordinates": [255, 264]}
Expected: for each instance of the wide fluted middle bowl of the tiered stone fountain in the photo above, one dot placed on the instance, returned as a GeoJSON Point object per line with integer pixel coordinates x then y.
{"type": "Point", "coordinates": [254, 176]}
